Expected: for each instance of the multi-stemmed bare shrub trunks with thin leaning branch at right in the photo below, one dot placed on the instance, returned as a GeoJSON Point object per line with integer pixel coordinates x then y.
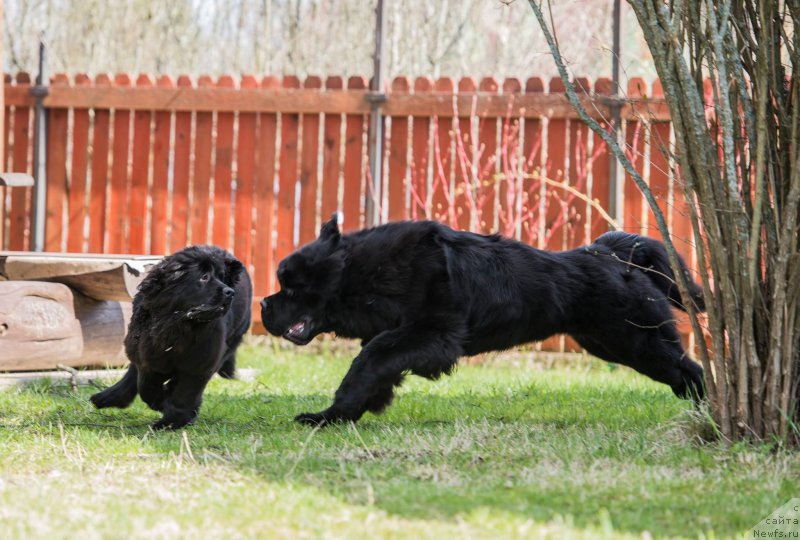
{"type": "Point", "coordinates": [741, 174]}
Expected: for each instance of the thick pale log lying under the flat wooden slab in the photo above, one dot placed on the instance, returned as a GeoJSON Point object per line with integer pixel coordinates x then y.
{"type": "Point", "coordinates": [44, 325]}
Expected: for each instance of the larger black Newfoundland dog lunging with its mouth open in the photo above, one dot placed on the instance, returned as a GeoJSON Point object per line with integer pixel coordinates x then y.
{"type": "Point", "coordinates": [420, 295]}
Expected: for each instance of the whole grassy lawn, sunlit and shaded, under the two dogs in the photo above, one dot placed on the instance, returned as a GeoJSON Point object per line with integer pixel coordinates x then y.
{"type": "Point", "coordinates": [497, 450]}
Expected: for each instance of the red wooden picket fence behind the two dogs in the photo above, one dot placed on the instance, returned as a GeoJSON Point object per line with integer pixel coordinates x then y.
{"type": "Point", "coordinates": [150, 165]}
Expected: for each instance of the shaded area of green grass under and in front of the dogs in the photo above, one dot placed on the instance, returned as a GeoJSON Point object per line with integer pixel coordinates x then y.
{"type": "Point", "coordinates": [536, 453]}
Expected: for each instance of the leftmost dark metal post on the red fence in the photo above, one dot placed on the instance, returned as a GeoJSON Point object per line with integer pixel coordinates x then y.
{"type": "Point", "coordinates": [39, 204]}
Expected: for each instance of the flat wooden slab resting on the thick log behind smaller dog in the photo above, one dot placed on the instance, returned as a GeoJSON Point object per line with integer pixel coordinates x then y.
{"type": "Point", "coordinates": [101, 277]}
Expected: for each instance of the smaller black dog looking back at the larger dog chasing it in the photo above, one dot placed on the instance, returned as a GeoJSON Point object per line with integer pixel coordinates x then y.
{"type": "Point", "coordinates": [189, 316]}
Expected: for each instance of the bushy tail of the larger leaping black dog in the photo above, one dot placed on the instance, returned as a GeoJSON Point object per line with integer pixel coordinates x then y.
{"type": "Point", "coordinates": [650, 256]}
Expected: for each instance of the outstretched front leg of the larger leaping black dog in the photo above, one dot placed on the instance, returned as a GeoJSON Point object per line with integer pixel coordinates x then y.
{"type": "Point", "coordinates": [422, 349]}
